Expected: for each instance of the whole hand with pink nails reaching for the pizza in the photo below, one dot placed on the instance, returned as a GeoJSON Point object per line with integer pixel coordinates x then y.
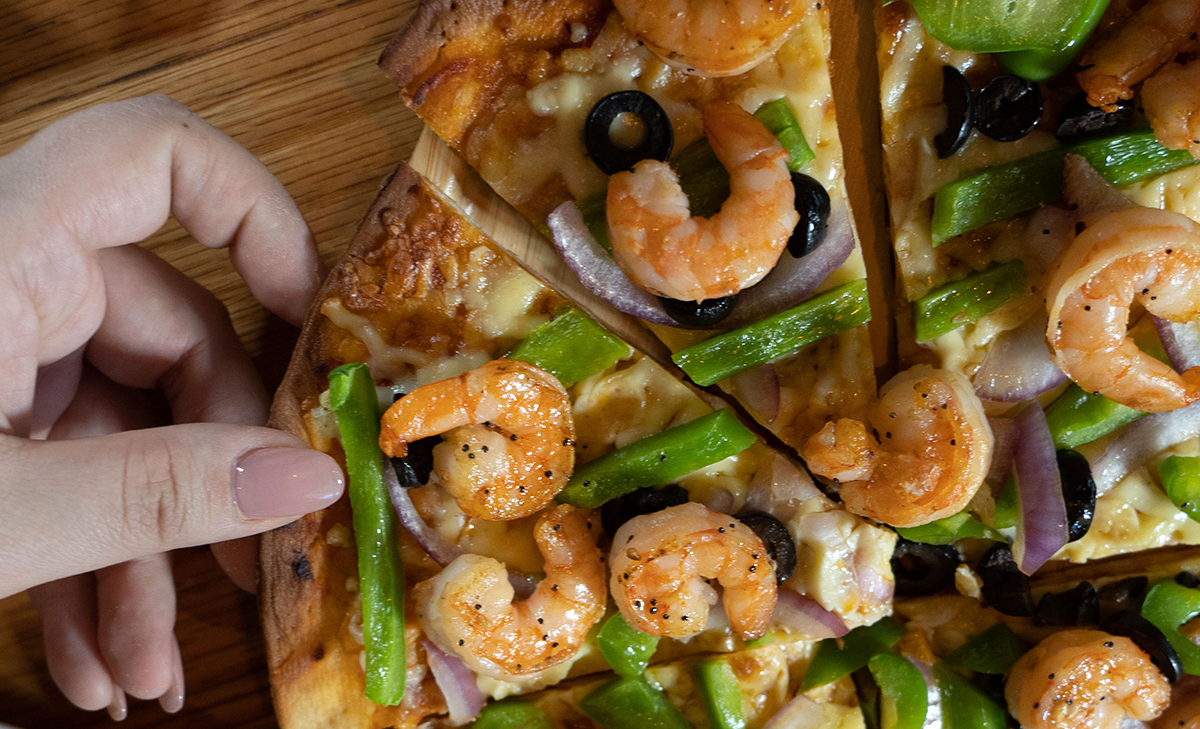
{"type": "Point", "coordinates": [92, 495]}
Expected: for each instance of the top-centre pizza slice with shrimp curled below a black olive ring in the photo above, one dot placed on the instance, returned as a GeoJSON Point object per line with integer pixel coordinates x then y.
{"type": "Point", "coordinates": [554, 103]}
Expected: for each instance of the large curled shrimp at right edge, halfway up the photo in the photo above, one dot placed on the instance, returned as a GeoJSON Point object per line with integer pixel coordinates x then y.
{"type": "Point", "coordinates": [1141, 255]}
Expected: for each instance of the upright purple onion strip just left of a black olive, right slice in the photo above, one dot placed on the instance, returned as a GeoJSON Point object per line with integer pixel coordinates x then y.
{"type": "Point", "coordinates": [1042, 529]}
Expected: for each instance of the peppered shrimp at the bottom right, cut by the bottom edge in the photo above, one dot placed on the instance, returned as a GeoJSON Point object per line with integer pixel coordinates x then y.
{"type": "Point", "coordinates": [1085, 679]}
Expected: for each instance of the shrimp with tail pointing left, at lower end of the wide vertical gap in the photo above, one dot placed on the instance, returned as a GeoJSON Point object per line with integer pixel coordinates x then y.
{"type": "Point", "coordinates": [933, 457]}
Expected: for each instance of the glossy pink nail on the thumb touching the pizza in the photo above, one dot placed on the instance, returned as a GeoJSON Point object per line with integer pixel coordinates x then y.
{"type": "Point", "coordinates": [286, 483]}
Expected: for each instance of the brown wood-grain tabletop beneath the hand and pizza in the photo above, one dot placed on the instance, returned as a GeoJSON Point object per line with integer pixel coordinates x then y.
{"type": "Point", "coordinates": [296, 83]}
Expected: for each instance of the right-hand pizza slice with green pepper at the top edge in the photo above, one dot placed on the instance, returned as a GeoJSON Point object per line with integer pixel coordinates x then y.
{"type": "Point", "coordinates": [1035, 221]}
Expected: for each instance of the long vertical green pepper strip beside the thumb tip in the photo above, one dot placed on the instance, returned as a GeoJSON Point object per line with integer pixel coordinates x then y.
{"type": "Point", "coordinates": [353, 397]}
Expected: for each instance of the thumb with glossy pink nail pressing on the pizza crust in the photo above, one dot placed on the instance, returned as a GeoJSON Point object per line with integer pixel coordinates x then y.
{"type": "Point", "coordinates": [75, 507]}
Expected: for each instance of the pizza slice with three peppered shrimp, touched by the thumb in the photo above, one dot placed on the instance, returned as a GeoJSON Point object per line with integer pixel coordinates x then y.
{"type": "Point", "coordinates": [539, 466]}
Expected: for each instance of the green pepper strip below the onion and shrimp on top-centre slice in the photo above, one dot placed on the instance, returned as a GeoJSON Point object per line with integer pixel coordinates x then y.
{"type": "Point", "coordinates": [779, 336]}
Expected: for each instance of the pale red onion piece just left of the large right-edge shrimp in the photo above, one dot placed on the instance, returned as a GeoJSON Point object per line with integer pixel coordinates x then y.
{"type": "Point", "coordinates": [1018, 366]}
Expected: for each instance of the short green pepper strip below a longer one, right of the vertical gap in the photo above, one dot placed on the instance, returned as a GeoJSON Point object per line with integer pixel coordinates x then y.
{"type": "Point", "coordinates": [952, 305]}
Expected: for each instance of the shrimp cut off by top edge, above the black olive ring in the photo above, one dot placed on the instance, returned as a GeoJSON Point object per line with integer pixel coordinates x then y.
{"type": "Point", "coordinates": [713, 38]}
